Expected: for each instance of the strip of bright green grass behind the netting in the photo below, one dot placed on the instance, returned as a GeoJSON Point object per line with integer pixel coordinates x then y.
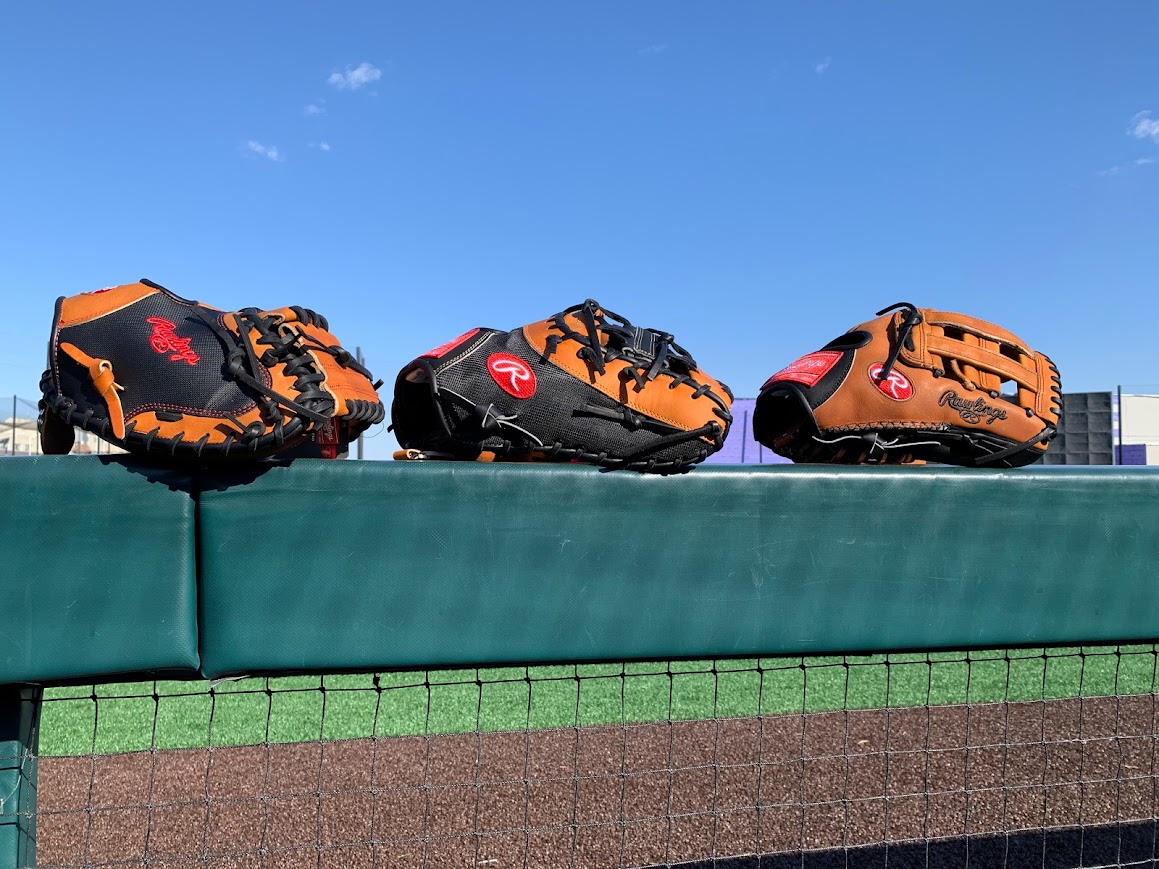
{"type": "Point", "coordinates": [133, 717]}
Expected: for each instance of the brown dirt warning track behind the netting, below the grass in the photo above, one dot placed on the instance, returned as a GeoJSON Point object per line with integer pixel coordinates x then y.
{"type": "Point", "coordinates": [611, 797]}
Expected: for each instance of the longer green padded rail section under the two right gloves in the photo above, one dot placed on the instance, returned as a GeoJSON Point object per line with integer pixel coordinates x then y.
{"type": "Point", "coordinates": [341, 566]}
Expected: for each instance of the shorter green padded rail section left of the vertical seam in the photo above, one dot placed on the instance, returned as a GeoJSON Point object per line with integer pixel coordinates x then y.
{"type": "Point", "coordinates": [99, 574]}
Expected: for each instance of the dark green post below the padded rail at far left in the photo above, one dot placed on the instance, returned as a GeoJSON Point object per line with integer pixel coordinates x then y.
{"type": "Point", "coordinates": [20, 715]}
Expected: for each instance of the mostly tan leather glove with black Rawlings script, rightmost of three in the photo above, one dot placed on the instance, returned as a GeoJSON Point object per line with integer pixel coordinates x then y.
{"type": "Point", "coordinates": [914, 385]}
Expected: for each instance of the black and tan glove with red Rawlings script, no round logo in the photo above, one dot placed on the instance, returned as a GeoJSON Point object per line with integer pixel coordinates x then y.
{"type": "Point", "coordinates": [156, 374]}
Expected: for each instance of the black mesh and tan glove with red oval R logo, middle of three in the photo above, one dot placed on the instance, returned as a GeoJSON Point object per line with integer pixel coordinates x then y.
{"type": "Point", "coordinates": [585, 386]}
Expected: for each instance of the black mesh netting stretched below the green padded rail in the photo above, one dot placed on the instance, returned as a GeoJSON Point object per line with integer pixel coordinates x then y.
{"type": "Point", "coordinates": [1025, 758]}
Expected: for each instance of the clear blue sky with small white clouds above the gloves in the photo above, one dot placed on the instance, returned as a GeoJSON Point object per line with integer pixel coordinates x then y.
{"type": "Point", "coordinates": [754, 178]}
